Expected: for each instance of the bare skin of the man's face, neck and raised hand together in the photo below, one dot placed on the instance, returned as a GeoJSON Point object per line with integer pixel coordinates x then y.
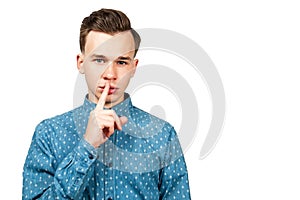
{"type": "Point", "coordinates": [108, 65]}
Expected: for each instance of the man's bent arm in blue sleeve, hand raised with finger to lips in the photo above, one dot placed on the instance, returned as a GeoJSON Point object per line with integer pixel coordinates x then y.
{"type": "Point", "coordinates": [50, 172]}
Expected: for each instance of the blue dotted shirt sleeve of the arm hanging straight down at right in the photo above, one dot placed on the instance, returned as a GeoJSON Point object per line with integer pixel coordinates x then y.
{"type": "Point", "coordinates": [174, 183]}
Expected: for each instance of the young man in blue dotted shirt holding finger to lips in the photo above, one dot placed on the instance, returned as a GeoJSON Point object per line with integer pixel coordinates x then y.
{"type": "Point", "coordinates": [106, 148]}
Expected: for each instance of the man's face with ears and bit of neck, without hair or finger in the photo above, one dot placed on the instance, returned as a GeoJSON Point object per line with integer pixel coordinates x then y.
{"type": "Point", "coordinates": [108, 59]}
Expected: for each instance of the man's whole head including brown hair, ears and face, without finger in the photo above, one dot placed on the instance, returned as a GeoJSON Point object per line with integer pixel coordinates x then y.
{"type": "Point", "coordinates": [108, 47]}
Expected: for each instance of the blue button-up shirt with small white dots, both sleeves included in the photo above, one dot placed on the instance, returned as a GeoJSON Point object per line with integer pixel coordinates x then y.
{"type": "Point", "coordinates": [143, 161]}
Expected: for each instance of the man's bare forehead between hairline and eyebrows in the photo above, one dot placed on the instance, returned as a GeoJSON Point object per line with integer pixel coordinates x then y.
{"type": "Point", "coordinates": [109, 45]}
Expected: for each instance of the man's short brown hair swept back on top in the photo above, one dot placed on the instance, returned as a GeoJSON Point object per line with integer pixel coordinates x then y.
{"type": "Point", "coordinates": [107, 21]}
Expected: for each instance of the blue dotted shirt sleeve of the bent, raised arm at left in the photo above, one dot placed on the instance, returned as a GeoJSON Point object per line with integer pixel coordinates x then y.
{"type": "Point", "coordinates": [45, 178]}
